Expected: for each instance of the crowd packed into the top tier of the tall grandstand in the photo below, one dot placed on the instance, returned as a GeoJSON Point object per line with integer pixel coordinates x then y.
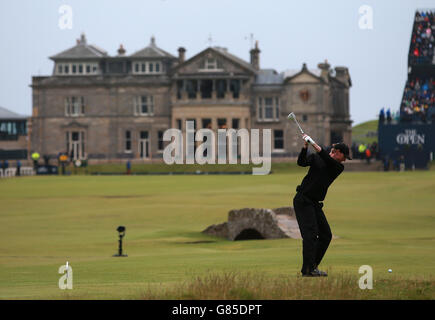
{"type": "Point", "coordinates": [422, 42]}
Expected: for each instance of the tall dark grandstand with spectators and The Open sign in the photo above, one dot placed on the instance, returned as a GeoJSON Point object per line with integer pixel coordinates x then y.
{"type": "Point", "coordinates": [411, 139]}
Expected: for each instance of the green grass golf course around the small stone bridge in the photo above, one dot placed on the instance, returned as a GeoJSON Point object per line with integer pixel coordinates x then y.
{"type": "Point", "coordinates": [383, 219]}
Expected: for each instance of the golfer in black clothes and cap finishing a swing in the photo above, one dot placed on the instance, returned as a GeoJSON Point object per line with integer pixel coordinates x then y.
{"type": "Point", "coordinates": [315, 231]}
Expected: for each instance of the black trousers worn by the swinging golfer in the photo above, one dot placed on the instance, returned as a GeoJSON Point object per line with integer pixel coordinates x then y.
{"type": "Point", "coordinates": [315, 231]}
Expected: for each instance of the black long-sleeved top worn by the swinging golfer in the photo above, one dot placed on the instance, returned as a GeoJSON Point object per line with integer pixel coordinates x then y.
{"type": "Point", "coordinates": [323, 171]}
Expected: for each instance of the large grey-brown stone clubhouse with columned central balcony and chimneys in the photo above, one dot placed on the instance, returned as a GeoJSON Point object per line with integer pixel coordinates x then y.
{"type": "Point", "coordinates": [108, 108]}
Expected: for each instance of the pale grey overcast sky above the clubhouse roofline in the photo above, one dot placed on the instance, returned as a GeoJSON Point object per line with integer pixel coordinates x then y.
{"type": "Point", "coordinates": [289, 34]}
